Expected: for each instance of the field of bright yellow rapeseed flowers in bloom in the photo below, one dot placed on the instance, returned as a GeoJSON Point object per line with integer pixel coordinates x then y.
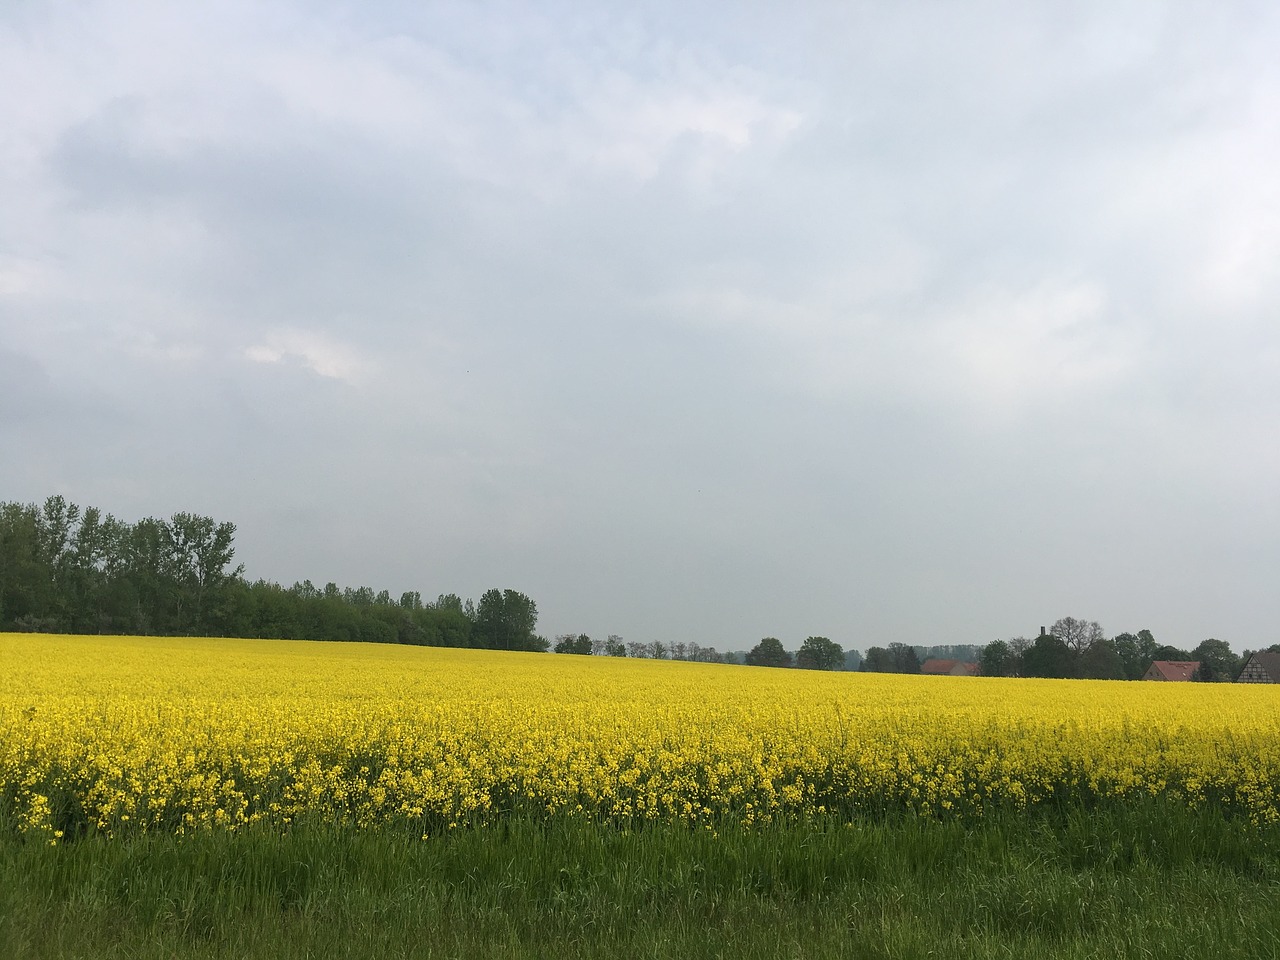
{"type": "Point", "coordinates": [159, 734]}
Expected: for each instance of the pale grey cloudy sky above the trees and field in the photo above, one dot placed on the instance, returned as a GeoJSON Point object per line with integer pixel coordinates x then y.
{"type": "Point", "coordinates": [885, 322]}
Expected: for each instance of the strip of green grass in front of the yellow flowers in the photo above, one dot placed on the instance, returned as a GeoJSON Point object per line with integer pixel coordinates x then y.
{"type": "Point", "coordinates": [1159, 883]}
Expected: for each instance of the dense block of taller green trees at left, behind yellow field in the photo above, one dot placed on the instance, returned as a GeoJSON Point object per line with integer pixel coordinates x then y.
{"type": "Point", "coordinates": [80, 572]}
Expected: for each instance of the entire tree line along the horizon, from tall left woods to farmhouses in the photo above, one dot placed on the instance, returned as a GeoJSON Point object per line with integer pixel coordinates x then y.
{"type": "Point", "coordinates": [80, 572]}
